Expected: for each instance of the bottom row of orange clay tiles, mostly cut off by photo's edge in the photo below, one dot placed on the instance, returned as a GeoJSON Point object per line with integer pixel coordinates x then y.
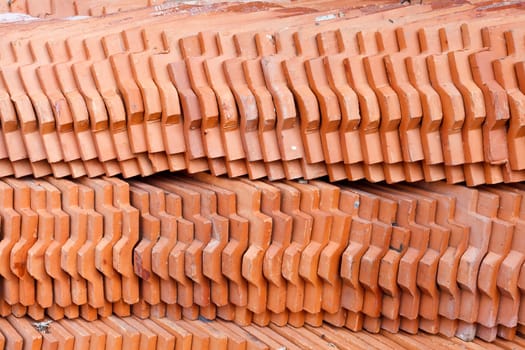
{"type": "Point", "coordinates": [127, 333]}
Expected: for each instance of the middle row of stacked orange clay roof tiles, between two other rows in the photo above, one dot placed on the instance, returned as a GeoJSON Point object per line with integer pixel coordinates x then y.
{"type": "Point", "coordinates": [435, 257]}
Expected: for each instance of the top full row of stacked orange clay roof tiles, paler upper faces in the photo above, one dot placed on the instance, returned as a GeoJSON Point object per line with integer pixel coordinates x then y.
{"type": "Point", "coordinates": [384, 92]}
